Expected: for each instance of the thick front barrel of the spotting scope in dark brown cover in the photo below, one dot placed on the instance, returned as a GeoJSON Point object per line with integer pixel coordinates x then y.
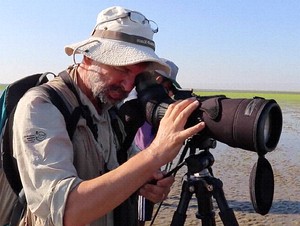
{"type": "Point", "coordinates": [251, 124]}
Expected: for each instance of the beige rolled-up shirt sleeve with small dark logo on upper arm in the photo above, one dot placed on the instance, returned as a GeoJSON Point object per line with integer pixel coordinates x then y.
{"type": "Point", "coordinates": [44, 154]}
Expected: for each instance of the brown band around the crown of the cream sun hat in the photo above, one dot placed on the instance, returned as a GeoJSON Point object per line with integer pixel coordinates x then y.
{"type": "Point", "coordinates": [124, 37]}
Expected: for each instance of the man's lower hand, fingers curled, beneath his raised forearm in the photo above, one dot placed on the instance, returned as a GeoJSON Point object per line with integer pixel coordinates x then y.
{"type": "Point", "coordinates": [159, 191]}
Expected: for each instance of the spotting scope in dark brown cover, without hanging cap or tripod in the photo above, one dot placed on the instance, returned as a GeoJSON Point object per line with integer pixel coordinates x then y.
{"type": "Point", "coordinates": [251, 124]}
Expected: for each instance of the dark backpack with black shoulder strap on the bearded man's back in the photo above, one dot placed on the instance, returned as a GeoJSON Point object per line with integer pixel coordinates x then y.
{"type": "Point", "coordinates": [8, 102]}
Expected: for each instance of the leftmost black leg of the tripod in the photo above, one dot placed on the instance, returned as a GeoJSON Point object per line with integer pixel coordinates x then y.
{"type": "Point", "coordinates": [180, 213]}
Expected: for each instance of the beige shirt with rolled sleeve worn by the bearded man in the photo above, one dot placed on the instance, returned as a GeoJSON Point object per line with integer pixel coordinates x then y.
{"type": "Point", "coordinates": [50, 164]}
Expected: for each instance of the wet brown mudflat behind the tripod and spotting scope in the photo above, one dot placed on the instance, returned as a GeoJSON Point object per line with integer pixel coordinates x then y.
{"type": "Point", "coordinates": [233, 166]}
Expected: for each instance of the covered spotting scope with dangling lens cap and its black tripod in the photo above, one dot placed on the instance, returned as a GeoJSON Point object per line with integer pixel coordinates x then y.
{"type": "Point", "coordinates": [251, 124]}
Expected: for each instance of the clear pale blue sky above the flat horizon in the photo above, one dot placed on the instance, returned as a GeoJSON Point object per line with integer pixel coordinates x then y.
{"type": "Point", "coordinates": [218, 45]}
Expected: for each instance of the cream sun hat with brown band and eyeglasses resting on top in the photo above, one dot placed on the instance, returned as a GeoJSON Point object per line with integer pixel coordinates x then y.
{"type": "Point", "coordinates": [121, 37]}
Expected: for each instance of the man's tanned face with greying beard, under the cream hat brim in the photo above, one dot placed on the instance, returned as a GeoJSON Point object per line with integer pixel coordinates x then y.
{"type": "Point", "coordinates": [111, 84]}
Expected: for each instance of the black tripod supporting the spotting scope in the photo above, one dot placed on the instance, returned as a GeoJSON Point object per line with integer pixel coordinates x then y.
{"type": "Point", "coordinates": [200, 181]}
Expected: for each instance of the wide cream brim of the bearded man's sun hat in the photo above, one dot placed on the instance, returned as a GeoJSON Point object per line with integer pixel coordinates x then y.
{"type": "Point", "coordinates": [117, 53]}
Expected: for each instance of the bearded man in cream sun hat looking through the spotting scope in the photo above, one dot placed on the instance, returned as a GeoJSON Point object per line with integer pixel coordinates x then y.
{"type": "Point", "coordinates": [80, 182]}
